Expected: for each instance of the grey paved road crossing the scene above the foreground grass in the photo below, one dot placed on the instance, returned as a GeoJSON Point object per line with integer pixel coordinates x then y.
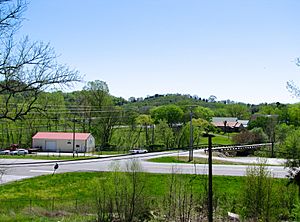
{"type": "Point", "coordinates": [22, 169]}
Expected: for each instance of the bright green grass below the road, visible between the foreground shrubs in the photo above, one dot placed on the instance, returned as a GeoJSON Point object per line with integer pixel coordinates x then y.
{"type": "Point", "coordinates": [72, 196]}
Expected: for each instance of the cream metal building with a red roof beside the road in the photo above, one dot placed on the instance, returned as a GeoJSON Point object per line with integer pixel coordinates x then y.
{"type": "Point", "coordinates": [63, 142]}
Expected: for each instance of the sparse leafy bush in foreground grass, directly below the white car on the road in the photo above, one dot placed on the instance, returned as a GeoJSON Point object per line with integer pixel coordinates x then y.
{"type": "Point", "coordinates": [121, 197]}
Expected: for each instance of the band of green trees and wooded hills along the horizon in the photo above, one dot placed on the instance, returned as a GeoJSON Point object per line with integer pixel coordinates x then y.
{"type": "Point", "coordinates": [159, 121]}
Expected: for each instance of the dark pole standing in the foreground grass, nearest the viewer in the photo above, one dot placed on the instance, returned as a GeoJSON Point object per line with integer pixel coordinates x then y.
{"type": "Point", "coordinates": [210, 185]}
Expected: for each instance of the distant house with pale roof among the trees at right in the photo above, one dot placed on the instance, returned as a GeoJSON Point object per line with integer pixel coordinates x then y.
{"type": "Point", "coordinates": [229, 124]}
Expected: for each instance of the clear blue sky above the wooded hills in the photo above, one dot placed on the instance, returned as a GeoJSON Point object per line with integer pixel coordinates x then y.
{"type": "Point", "coordinates": [242, 50]}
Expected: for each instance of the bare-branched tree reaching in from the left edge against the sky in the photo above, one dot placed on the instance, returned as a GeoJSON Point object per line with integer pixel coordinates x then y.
{"type": "Point", "coordinates": [26, 68]}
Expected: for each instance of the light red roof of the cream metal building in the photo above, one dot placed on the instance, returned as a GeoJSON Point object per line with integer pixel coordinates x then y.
{"type": "Point", "coordinates": [60, 136]}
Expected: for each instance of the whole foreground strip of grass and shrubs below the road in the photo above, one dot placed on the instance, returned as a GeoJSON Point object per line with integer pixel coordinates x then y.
{"type": "Point", "coordinates": [133, 196]}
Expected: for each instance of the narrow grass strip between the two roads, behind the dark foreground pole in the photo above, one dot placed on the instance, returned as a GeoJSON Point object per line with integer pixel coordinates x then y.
{"type": "Point", "coordinates": [197, 160]}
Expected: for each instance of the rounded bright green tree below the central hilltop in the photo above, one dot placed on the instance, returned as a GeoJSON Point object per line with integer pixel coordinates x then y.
{"type": "Point", "coordinates": [171, 113]}
